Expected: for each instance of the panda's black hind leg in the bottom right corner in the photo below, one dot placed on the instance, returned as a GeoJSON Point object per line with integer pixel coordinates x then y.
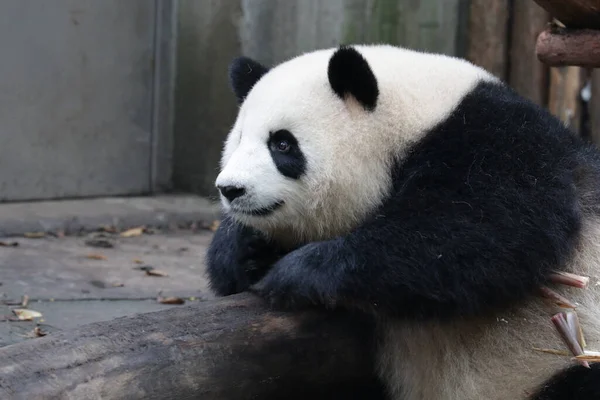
{"type": "Point", "coordinates": [574, 383]}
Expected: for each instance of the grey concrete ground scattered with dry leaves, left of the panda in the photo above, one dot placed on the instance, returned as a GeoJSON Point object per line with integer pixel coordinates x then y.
{"type": "Point", "coordinates": [88, 271]}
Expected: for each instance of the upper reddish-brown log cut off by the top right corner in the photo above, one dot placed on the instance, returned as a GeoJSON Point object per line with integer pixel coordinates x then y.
{"type": "Point", "coordinates": [574, 13]}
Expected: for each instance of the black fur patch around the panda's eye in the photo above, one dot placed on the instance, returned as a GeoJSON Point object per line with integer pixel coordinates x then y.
{"type": "Point", "coordinates": [290, 163]}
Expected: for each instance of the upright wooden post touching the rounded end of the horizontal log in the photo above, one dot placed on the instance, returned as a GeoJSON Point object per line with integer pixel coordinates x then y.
{"type": "Point", "coordinates": [527, 75]}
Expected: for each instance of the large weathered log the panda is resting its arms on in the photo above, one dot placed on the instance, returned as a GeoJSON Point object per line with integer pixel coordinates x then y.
{"type": "Point", "coordinates": [231, 348]}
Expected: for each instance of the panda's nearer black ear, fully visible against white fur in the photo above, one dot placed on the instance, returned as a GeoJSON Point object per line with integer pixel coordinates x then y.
{"type": "Point", "coordinates": [350, 74]}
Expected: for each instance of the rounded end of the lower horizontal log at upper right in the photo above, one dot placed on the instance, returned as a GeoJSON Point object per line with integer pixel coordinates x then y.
{"type": "Point", "coordinates": [562, 47]}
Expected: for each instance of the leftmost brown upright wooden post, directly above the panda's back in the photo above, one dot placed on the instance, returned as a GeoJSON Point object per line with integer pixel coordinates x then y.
{"type": "Point", "coordinates": [488, 30]}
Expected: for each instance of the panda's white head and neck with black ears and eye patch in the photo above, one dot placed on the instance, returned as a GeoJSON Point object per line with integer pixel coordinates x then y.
{"type": "Point", "coordinates": [311, 150]}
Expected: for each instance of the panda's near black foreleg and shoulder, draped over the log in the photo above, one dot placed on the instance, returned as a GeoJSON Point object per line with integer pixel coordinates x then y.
{"type": "Point", "coordinates": [482, 210]}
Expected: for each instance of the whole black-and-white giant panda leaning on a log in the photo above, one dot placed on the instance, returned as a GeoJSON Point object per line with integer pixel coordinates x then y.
{"type": "Point", "coordinates": [420, 189]}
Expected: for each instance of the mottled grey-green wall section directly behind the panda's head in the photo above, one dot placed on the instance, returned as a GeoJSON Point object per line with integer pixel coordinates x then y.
{"type": "Point", "coordinates": [212, 32]}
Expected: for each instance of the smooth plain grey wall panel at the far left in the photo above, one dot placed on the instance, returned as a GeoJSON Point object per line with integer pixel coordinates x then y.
{"type": "Point", "coordinates": [84, 97]}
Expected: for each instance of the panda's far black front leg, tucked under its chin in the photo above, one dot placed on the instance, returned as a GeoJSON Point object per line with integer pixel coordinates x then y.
{"type": "Point", "coordinates": [237, 257]}
